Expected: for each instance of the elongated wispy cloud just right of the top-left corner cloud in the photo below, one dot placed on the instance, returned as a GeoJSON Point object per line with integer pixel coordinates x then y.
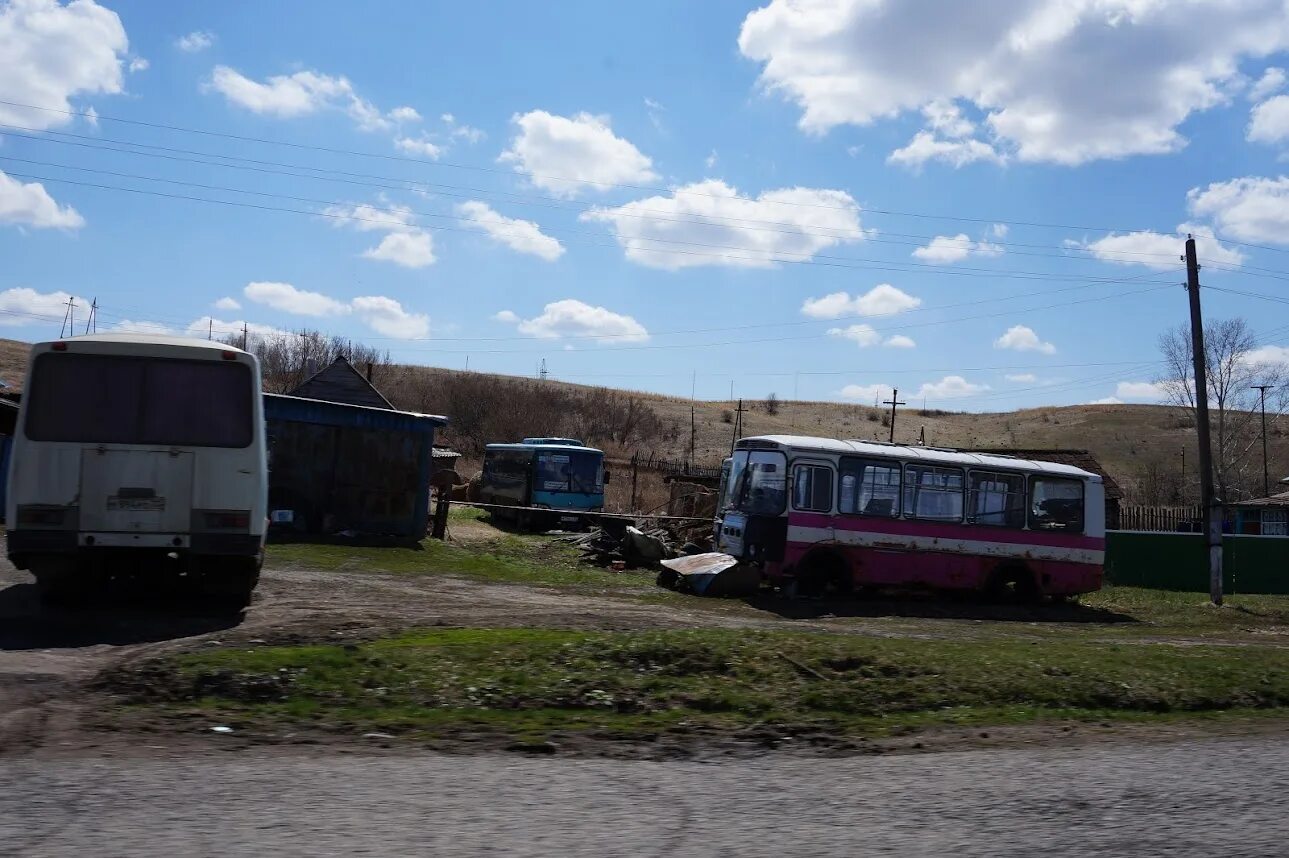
{"type": "Point", "coordinates": [301, 95]}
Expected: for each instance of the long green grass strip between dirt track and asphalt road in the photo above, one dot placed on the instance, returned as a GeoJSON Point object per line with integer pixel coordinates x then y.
{"type": "Point", "coordinates": [533, 683]}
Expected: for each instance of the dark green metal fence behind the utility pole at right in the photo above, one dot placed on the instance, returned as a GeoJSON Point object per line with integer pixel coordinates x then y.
{"type": "Point", "coordinates": [1180, 562]}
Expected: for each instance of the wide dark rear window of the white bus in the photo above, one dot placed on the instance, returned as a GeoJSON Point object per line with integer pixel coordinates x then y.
{"type": "Point", "coordinates": [118, 400]}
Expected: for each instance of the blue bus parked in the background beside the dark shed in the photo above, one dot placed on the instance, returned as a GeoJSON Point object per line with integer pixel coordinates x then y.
{"type": "Point", "coordinates": [560, 475]}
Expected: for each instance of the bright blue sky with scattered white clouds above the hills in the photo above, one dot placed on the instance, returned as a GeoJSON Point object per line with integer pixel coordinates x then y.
{"type": "Point", "coordinates": [980, 205]}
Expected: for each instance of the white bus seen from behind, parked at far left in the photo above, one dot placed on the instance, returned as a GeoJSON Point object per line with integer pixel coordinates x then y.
{"type": "Point", "coordinates": [139, 457]}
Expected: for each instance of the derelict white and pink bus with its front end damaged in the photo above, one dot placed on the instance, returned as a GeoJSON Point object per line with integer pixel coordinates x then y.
{"type": "Point", "coordinates": [818, 515]}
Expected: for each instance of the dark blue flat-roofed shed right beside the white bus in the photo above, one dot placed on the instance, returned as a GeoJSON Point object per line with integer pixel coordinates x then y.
{"type": "Point", "coordinates": [337, 467]}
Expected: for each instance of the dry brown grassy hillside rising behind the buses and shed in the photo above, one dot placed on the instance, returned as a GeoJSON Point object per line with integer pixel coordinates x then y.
{"type": "Point", "coordinates": [1140, 445]}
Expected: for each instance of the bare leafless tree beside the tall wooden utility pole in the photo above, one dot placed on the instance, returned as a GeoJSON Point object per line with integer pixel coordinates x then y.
{"type": "Point", "coordinates": [1233, 364]}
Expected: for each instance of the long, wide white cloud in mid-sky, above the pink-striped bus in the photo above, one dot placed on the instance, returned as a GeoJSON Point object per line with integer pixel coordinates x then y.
{"type": "Point", "coordinates": [711, 224]}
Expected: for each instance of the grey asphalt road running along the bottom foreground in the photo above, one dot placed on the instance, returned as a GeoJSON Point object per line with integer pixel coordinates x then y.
{"type": "Point", "coordinates": [1223, 798]}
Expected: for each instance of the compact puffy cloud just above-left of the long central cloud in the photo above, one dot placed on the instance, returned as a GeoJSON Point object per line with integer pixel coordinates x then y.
{"type": "Point", "coordinates": [572, 155]}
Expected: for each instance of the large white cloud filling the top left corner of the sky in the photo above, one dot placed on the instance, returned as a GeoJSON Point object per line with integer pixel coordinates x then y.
{"type": "Point", "coordinates": [51, 53]}
